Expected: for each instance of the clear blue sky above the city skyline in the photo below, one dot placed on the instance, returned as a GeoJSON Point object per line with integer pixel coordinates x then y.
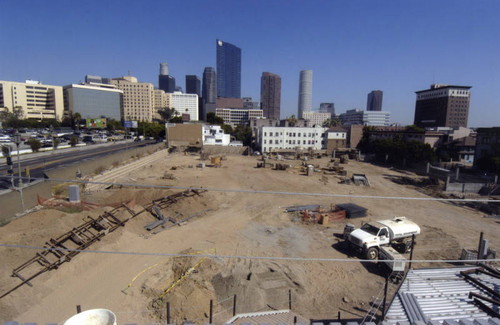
{"type": "Point", "coordinates": [352, 47]}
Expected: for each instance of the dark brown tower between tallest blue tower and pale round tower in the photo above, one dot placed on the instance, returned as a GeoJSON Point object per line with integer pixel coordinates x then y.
{"type": "Point", "coordinates": [270, 95]}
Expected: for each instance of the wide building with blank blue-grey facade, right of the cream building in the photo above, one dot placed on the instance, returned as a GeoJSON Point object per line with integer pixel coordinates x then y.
{"type": "Point", "coordinates": [93, 100]}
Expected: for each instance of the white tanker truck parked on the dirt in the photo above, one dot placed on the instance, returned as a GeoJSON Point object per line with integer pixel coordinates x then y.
{"type": "Point", "coordinates": [395, 232]}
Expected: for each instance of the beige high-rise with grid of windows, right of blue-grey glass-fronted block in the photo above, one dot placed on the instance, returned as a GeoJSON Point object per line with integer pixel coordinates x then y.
{"type": "Point", "coordinates": [138, 98]}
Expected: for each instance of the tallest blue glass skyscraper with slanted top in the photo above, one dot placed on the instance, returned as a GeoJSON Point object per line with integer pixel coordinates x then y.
{"type": "Point", "coordinates": [228, 70]}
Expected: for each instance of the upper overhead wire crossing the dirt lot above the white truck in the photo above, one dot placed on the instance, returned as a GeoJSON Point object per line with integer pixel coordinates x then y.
{"type": "Point", "coordinates": [215, 189]}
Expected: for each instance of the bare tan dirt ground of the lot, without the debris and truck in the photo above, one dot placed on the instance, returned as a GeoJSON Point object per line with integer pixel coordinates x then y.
{"type": "Point", "coordinates": [236, 224]}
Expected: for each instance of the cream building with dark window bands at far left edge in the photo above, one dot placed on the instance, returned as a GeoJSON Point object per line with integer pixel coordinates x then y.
{"type": "Point", "coordinates": [37, 101]}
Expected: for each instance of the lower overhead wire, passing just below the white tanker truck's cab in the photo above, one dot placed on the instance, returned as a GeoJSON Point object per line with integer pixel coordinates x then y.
{"type": "Point", "coordinates": [269, 258]}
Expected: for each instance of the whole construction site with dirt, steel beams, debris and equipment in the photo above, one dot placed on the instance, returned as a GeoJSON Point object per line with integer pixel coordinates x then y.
{"type": "Point", "coordinates": [187, 237]}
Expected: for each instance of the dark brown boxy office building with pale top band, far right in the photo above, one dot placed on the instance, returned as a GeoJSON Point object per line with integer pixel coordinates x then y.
{"type": "Point", "coordinates": [442, 105]}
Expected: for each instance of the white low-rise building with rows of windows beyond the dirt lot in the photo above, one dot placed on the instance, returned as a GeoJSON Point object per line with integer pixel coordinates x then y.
{"type": "Point", "coordinates": [273, 138]}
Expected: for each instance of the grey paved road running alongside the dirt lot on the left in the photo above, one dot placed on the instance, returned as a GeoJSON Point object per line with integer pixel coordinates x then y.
{"type": "Point", "coordinates": [41, 162]}
